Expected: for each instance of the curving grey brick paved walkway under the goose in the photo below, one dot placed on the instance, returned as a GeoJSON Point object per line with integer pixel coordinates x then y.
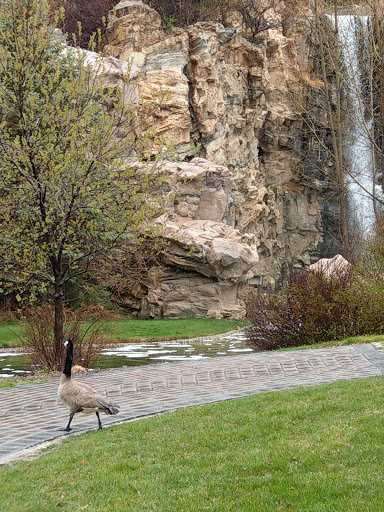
{"type": "Point", "coordinates": [30, 414]}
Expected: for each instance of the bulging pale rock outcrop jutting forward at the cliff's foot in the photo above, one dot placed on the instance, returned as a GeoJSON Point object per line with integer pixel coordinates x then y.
{"type": "Point", "coordinates": [207, 261]}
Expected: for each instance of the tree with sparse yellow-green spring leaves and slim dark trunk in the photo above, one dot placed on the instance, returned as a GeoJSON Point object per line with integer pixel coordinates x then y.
{"type": "Point", "coordinates": [67, 191]}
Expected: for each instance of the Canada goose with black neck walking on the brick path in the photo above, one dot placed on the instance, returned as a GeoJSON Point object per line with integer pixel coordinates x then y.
{"type": "Point", "coordinates": [79, 397]}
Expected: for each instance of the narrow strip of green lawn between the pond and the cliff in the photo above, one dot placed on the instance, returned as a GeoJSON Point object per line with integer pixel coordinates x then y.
{"type": "Point", "coordinates": [127, 330]}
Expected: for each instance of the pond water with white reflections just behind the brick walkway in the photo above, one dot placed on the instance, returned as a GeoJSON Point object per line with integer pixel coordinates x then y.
{"type": "Point", "coordinates": [230, 344]}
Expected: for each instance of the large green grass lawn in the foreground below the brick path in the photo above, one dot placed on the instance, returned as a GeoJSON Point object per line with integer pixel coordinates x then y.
{"type": "Point", "coordinates": [318, 449]}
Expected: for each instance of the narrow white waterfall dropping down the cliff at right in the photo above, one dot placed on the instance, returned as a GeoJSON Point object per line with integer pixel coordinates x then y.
{"type": "Point", "coordinates": [359, 151]}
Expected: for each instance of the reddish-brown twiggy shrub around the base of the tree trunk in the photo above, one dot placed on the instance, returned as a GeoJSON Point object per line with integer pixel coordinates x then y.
{"type": "Point", "coordinates": [84, 326]}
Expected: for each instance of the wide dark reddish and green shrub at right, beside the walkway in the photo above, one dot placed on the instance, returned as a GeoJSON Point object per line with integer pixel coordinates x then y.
{"type": "Point", "coordinates": [314, 307]}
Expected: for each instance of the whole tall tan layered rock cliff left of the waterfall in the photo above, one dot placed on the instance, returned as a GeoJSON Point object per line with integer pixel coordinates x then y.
{"type": "Point", "coordinates": [242, 210]}
